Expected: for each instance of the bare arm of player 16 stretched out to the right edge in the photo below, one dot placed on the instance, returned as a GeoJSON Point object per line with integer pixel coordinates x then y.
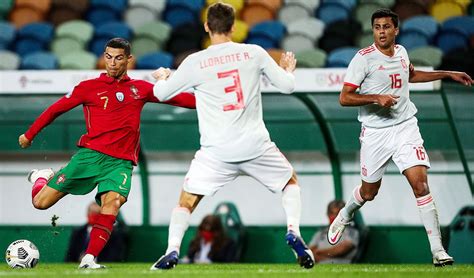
{"type": "Point", "coordinates": [425, 76]}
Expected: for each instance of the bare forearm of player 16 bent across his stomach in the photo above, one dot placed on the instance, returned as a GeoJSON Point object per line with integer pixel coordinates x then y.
{"type": "Point", "coordinates": [349, 97]}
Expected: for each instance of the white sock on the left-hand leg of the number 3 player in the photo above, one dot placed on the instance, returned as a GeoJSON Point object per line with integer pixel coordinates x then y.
{"type": "Point", "coordinates": [178, 225]}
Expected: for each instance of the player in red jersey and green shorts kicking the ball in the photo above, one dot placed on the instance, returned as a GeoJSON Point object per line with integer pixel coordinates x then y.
{"type": "Point", "coordinates": [112, 104]}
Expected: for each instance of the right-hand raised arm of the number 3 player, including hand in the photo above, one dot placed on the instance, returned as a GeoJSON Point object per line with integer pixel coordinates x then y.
{"type": "Point", "coordinates": [281, 76]}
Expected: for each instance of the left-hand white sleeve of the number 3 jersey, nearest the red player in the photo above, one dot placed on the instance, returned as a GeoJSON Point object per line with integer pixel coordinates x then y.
{"type": "Point", "coordinates": [181, 80]}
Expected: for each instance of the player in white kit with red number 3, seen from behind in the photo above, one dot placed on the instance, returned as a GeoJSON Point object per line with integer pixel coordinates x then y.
{"type": "Point", "coordinates": [234, 140]}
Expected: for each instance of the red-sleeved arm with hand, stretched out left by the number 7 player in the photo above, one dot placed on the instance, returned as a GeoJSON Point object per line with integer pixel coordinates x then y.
{"type": "Point", "coordinates": [61, 106]}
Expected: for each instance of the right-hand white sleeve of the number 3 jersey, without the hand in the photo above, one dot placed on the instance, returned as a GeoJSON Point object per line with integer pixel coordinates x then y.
{"type": "Point", "coordinates": [278, 77]}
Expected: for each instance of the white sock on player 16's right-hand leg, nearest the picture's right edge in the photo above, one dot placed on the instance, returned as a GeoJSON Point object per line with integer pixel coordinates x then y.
{"type": "Point", "coordinates": [429, 217]}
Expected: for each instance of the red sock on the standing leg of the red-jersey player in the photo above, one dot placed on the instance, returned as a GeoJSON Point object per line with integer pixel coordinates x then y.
{"type": "Point", "coordinates": [100, 234]}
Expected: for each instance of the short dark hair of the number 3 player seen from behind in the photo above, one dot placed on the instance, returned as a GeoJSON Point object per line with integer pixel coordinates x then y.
{"type": "Point", "coordinates": [220, 18]}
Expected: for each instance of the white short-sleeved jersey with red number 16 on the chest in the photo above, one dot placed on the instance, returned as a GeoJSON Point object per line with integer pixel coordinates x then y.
{"type": "Point", "coordinates": [378, 74]}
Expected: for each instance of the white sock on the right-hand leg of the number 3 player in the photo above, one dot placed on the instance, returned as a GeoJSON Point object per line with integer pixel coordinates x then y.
{"type": "Point", "coordinates": [291, 199]}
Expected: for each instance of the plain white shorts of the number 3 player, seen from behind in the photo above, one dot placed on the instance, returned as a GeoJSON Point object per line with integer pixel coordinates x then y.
{"type": "Point", "coordinates": [207, 175]}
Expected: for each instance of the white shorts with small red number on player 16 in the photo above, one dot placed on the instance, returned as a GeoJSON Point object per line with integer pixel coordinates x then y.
{"type": "Point", "coordinates": [402, 143]}
